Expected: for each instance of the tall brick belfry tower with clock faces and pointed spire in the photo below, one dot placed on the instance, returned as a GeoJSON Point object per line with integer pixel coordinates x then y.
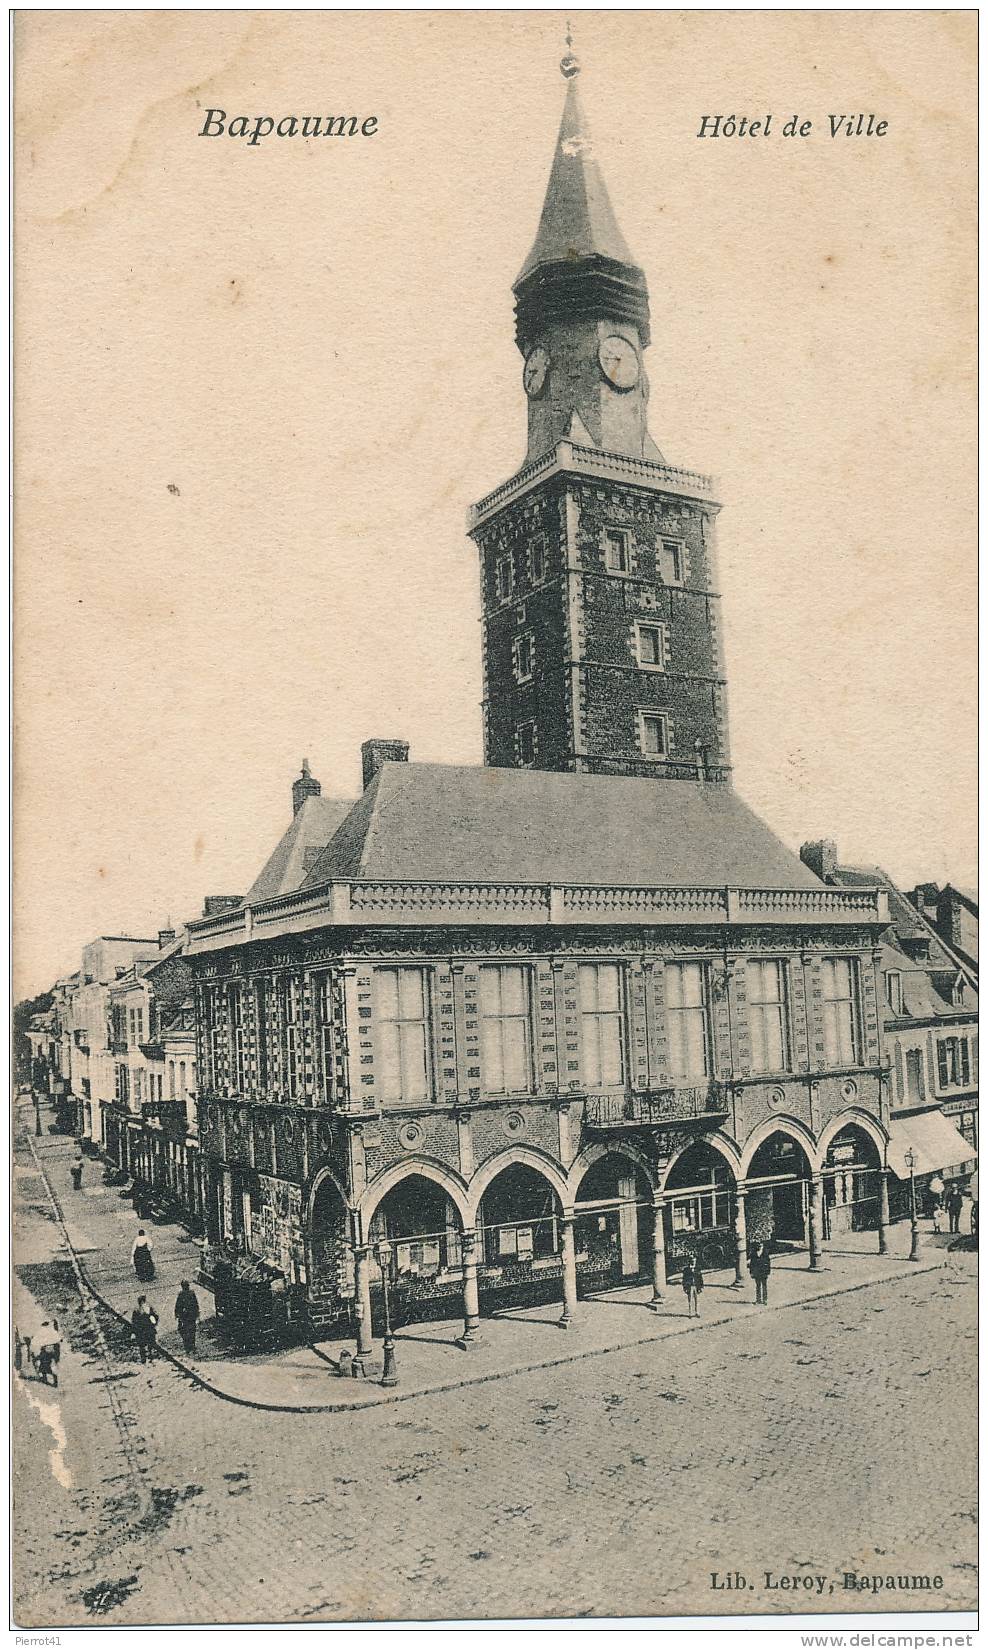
{"type": "Point", "coordinates": [601, 616]}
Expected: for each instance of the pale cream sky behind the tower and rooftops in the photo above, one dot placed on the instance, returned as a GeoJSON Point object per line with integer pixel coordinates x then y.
{"type": "Point", "coordinates": [260, 387]}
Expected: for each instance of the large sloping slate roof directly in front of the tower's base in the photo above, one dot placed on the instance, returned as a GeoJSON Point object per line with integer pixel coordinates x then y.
{"type": "Point", "coordinates": [435, 823]}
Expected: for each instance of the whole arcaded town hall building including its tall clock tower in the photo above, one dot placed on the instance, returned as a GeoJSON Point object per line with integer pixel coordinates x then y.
{"type": "Point", "coordinates": [532, 1030]}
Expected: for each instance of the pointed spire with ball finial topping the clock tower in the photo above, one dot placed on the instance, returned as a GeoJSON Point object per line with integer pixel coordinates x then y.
{"type": "Point", "coordinates": [578, 219]}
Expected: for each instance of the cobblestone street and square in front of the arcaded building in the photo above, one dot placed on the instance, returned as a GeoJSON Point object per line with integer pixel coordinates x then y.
{"type": "Point", "coordinates": [829, 1438]}
